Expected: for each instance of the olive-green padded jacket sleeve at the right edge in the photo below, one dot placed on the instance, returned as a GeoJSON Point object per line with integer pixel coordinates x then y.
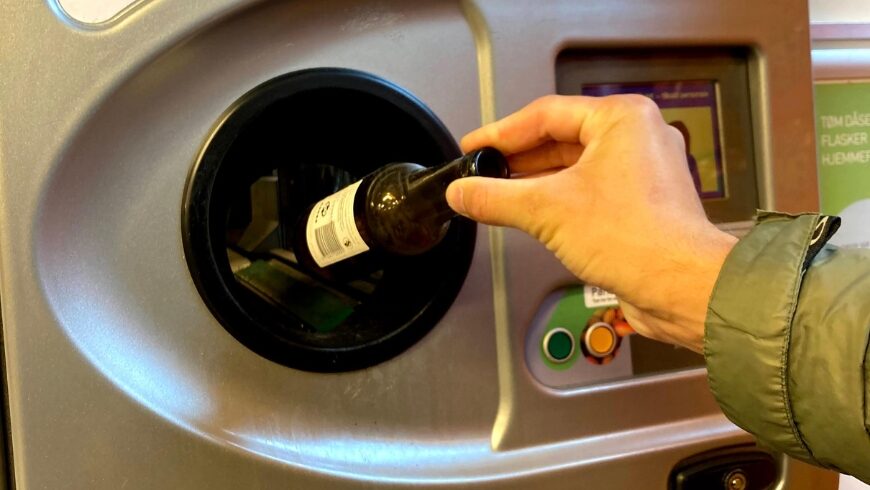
{"type": "Point", "coordinates": [786, 342]}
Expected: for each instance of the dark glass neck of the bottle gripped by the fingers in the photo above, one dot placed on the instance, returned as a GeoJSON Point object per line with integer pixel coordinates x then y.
{"type": "Point", "coordinates": [430, 185]}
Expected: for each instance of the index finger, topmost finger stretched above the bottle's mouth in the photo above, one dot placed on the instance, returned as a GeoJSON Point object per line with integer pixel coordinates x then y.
{"type": "Point", "coordinates": [552, 117]}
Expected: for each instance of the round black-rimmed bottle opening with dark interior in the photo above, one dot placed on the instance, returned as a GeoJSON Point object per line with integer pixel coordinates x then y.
{"type": "Point", "coordinates": [281, 147]}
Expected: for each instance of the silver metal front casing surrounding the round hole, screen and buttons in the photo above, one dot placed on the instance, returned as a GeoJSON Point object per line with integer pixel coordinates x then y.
{"type": "Point", "coordinates": [118, 375]}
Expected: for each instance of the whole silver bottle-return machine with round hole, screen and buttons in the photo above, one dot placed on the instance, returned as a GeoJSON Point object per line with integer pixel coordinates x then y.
{"type": "Point", "coordinates": [158, 332]}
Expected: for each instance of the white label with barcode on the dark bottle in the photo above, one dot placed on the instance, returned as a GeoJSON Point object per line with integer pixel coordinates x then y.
{"type": "Point", "coordinates": [331, 232]}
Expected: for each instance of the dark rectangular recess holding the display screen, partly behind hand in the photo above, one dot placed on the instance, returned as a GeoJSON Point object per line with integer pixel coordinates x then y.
{"type": "Point", "coordinates": [704, 93]}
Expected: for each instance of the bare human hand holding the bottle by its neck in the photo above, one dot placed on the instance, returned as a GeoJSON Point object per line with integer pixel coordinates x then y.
{"type": "Point", "coordinates": [604, 184]}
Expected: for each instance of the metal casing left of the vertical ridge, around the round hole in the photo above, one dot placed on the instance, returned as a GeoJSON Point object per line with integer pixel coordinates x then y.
{"type": "Point", "coordinates": [133, 377]}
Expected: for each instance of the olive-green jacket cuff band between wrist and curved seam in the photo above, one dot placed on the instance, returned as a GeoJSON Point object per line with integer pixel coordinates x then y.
{"type": "Point", "coordinates": [749, 323]}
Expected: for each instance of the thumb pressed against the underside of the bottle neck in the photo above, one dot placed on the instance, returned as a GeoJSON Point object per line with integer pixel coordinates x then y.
{"type": "Point", "coordinates": [498, 202]}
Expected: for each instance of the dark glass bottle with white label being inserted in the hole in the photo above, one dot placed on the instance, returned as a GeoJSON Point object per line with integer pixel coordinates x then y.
{"type": "Point", "coordinates": [399, 209]}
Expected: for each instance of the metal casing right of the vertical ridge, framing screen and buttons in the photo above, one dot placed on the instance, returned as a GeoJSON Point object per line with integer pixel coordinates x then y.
{"type": "Point", "coordinates": [528, 41]}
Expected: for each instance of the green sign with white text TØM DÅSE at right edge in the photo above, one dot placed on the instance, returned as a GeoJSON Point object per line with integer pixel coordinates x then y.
{"type": "Point", "coordinates": [843, 131]}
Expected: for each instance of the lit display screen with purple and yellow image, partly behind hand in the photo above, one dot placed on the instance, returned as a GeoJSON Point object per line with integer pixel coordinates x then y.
{"type": "Point", "coordinates": [690, 106]}
